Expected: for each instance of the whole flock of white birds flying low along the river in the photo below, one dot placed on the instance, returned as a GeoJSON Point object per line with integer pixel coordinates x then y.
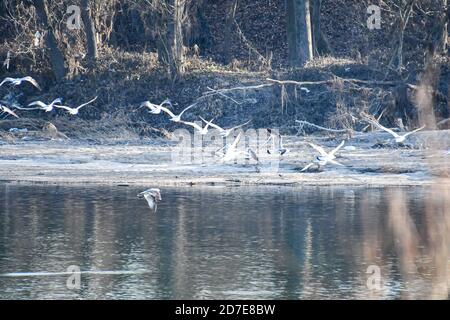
{"type": "Point", "coordinates": [228, 153]}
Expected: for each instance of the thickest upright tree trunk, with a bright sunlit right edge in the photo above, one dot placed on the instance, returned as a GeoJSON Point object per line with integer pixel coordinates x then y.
{"type": "Point", "coordinates": [299, 32]}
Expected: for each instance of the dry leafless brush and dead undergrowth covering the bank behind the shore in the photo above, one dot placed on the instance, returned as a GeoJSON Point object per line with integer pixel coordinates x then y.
{"type": "Point", "coordinates": [358, 75]}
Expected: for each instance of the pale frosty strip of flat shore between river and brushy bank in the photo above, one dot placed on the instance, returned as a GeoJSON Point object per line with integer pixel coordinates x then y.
{"type": "Point", "coordinates": [367, 162]}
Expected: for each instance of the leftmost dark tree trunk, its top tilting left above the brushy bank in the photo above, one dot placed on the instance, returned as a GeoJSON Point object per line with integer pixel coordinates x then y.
{"type": "Point", "coordinates": [56, 56]}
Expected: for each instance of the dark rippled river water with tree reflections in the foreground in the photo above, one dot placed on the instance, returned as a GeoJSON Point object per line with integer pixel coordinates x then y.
{"type": "Point", "coordinates": [217, 242]}
